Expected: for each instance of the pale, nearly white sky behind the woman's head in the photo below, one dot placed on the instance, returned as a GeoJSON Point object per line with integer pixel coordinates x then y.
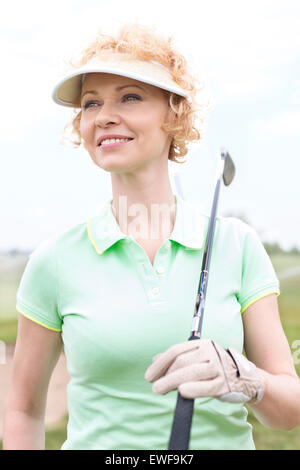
{"type": "Point", "coordinates": [247, 54]}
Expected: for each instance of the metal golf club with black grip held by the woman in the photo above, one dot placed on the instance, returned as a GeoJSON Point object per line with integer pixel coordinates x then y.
{"type": "Point", "coordinates": [181, 427]}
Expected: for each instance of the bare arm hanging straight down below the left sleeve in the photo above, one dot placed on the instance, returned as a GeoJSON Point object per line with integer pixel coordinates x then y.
{"type": "Point", "coordinates": [36, 354]}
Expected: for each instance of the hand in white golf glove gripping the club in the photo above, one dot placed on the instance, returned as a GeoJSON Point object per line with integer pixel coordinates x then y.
{"type": "Point", "coordinates": [201, 368]}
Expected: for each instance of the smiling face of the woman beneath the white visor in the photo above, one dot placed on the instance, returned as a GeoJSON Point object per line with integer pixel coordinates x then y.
{"type": "Point", "coordinates": [137, 111]}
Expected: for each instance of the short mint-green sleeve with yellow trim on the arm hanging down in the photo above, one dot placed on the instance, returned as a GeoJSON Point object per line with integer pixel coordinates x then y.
{"type": "Point", "coordinates": [37, 294]}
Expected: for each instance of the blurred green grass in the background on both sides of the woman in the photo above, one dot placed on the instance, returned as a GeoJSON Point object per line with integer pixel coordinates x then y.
{"type": "Point", "coordinates": [289, 307]}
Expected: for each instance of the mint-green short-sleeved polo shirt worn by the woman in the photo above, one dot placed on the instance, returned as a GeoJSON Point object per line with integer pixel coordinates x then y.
{"type": "Point", "coordinates": [116, 310]}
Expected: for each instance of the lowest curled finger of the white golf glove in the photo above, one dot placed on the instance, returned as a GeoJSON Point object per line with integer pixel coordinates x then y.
{"type": "Point", "coordinates": [203, 388]}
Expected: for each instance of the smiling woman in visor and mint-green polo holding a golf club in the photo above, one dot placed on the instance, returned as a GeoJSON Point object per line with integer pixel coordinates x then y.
{"type": "Point", "coordinates": [120, 289]}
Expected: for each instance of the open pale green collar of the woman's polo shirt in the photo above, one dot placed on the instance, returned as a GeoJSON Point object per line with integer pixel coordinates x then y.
{"type": "Point", "coordinates": [104, 231]}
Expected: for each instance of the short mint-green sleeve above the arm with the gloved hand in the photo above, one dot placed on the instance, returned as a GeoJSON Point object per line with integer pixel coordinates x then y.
{"type": "Point", "coordinates": [258, 275]}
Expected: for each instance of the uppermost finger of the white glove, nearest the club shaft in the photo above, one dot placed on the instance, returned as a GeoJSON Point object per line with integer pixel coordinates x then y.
{"type": "Point", "coordinates": [164, 361]}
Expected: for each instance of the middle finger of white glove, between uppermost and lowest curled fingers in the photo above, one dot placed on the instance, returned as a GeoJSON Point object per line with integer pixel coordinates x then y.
{"type": "Point", "coordinates": [201, 371]}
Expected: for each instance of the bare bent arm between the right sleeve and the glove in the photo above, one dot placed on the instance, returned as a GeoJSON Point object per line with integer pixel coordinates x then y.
{"type": "Point", "coordinates": [267, 347]}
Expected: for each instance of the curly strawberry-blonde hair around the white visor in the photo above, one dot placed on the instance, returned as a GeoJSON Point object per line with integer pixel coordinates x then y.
{"type": "Point", "coordinates": [143, 43]}
